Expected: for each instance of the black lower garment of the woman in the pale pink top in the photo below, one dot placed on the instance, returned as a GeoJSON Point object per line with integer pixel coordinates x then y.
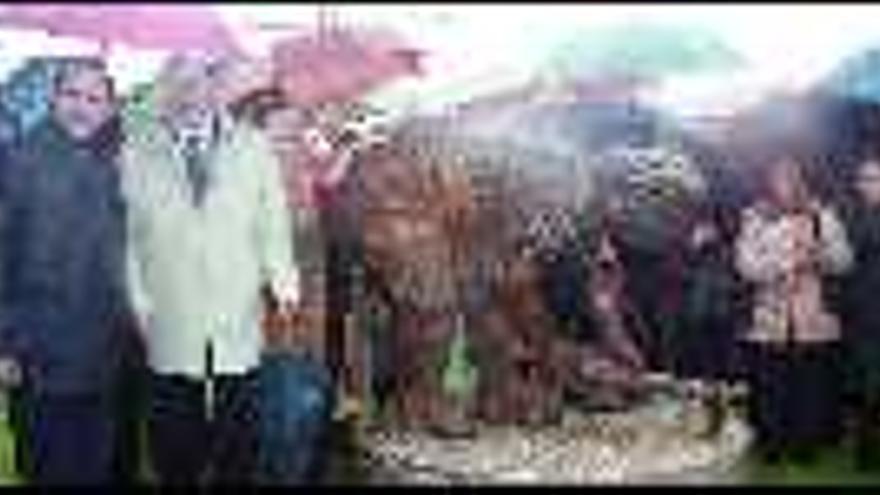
{"type": "Point", "coordinates": [794, 397]}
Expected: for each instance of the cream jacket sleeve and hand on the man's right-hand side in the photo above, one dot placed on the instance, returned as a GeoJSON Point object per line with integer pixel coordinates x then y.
{"type": "Point", "coordinates": [274, 225]}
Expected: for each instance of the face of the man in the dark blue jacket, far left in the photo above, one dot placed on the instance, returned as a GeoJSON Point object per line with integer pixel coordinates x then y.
{"type": "Point", "coordinates": [83, 99]}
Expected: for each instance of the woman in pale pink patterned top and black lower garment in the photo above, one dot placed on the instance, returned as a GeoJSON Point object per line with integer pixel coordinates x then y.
{"type": "Point", "coordinates": [788, 243]}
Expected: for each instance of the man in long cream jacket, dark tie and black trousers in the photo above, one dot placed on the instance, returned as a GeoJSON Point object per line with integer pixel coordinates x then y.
{"type": "Point", "coordinates": [208, 228]}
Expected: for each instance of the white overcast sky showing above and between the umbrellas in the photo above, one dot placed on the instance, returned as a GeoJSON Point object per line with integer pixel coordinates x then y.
{"type": "Point", "coordinates": [478, 46]}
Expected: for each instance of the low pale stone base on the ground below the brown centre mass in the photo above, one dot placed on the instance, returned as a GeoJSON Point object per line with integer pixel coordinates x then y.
{"type": "Point", "coordinates": [633, 447]}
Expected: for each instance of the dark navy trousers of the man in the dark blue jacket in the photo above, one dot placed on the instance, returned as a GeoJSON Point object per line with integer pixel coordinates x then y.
{"type": "Point", "coordinates": [70, 440]}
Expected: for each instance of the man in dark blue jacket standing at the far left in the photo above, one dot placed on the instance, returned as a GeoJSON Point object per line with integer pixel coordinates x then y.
{"type": "Point", "coordinates": [63, 277]}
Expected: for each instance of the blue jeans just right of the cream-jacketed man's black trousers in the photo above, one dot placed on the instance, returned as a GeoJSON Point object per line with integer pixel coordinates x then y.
{"type": "Point", "coordinates": [296, 405]}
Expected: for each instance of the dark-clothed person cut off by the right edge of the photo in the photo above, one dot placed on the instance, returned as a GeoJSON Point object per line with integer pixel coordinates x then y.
{"type": "Point", "coordinates": [861, 318]}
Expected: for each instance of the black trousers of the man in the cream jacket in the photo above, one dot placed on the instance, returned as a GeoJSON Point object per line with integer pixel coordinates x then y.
{"type": "Point", "coordinates": [185, 441]}
